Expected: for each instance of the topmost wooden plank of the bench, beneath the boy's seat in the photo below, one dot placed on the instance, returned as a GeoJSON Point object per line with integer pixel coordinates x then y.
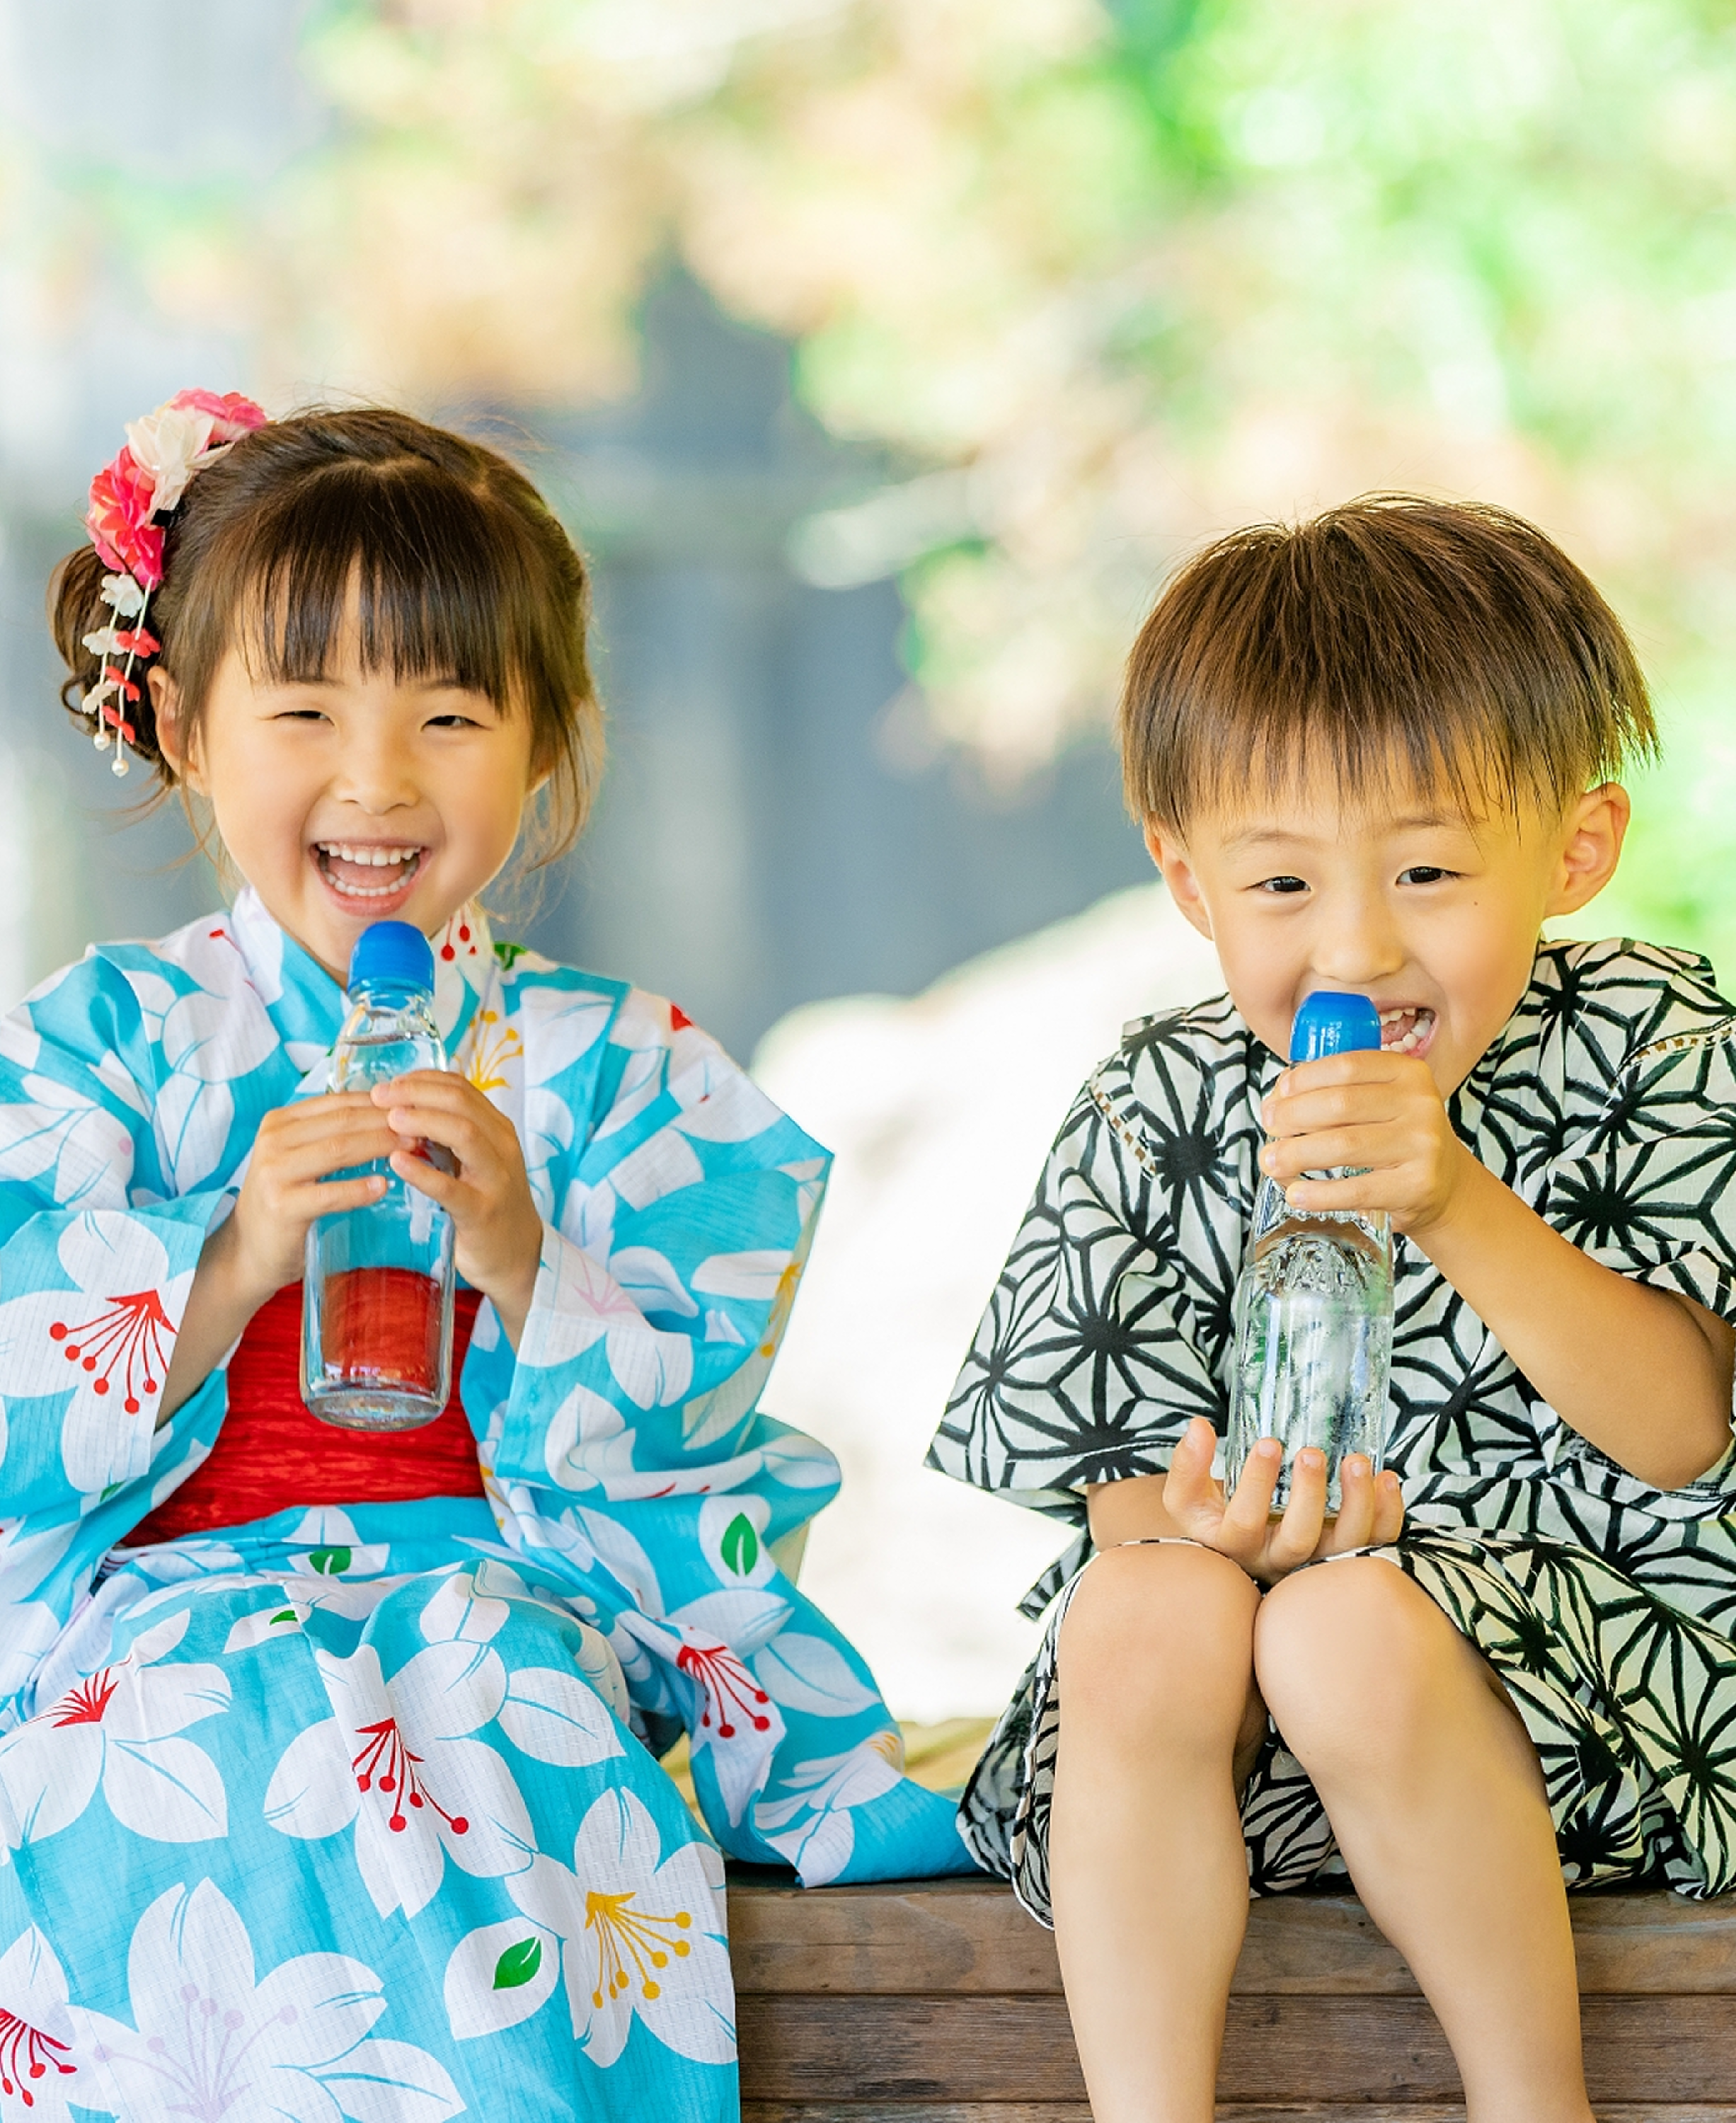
{"type": "Point", "coordinates": [971, 1937]}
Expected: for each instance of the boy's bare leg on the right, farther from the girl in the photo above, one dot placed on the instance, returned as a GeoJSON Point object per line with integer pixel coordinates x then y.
{"type": "Point", "coordinates": [1436, 1799]}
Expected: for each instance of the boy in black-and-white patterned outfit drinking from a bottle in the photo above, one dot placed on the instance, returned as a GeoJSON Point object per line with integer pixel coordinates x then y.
{"type": "Point", "coordinates": [1376, 755]}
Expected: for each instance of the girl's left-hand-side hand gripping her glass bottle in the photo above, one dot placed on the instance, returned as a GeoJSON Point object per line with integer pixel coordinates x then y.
{"type": "Point", "coordinates": [288, 1188]}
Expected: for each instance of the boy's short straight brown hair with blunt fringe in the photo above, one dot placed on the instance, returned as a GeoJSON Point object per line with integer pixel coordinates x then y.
{"type": "Point", "coordinates": [1393, 640]}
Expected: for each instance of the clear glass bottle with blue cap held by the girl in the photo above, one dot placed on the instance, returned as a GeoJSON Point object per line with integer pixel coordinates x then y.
{"type": "Point", "coordinates": [377, 1302]}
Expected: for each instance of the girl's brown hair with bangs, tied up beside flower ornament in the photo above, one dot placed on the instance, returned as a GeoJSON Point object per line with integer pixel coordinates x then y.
{"type": "Point", "coordinates": [459, 566]}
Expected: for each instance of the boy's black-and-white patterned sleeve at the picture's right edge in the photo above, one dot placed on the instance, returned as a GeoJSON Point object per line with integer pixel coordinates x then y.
{"type": "Point", "coordinates": [1650, 1188]}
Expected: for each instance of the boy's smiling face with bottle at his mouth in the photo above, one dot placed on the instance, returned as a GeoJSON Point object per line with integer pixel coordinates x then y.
{"type": "Point", "coordinates": [1427, 912]}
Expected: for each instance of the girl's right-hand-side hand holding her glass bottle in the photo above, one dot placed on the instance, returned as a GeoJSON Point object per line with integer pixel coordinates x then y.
{"type": "Point", "coordinates": [496, 1222]}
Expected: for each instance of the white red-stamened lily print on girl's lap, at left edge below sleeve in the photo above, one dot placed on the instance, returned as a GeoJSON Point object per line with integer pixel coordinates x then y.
{"type": "Point", "coordinates": [120, 1729]}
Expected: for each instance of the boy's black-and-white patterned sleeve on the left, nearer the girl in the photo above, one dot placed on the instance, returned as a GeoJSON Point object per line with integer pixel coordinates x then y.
{"type": "Point", "coordinates": [1109, 1328]}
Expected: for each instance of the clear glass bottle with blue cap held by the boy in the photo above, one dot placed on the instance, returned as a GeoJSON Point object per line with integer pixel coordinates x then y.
{"type": "Point", "coordinates": [1315, 1302]}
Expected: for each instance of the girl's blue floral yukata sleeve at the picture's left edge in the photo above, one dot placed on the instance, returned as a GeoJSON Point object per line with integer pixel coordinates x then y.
{"type": "Point", "coordinates": [97, 1252]}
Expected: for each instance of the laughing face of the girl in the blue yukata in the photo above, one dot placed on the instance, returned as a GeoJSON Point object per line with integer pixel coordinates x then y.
{"type": "Point", "coordinates": [355, 799]}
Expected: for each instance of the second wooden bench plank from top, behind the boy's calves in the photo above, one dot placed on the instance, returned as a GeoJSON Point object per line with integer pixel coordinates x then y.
{"type": "Point", "coordinates": [1279, 2050]}
